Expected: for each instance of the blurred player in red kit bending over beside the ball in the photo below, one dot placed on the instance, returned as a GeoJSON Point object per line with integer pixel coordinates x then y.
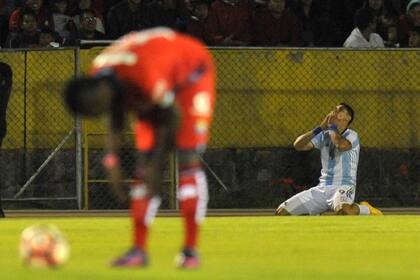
{"type": "Point", "coordinates": [167, 80]}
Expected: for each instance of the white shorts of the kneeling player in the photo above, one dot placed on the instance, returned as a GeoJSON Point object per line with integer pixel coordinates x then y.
{"type": "Point", "coordinates": [319, 199]}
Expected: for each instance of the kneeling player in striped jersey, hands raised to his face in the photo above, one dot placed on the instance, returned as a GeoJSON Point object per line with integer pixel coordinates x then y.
{"type": "Point", "coordinates": [339, 146]}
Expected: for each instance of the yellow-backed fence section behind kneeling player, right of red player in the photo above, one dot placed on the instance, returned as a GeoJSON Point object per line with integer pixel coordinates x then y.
{"type": "Point", "coordinates": [269, 97]}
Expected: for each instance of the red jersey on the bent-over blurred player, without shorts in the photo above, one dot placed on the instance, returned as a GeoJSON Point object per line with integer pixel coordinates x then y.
{"type": "Point", "coordinates": [157, 61]}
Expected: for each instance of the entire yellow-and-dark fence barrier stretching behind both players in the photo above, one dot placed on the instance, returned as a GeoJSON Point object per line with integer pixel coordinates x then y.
{"type": "Point", "coordinates": [266, 98]}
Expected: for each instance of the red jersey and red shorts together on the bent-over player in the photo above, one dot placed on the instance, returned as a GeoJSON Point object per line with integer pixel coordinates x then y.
{"type": "Point", "coordinates": [165, 67]}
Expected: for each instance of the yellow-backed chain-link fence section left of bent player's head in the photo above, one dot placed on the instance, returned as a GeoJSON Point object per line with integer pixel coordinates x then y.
{"type": "Point", "coordinates": [37, 156]}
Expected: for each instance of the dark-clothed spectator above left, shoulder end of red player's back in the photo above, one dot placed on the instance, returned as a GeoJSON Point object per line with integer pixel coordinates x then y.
{"type": "Point", "coordinates": [126, 16]}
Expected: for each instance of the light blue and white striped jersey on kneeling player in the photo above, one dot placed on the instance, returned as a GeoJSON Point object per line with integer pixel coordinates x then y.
{"type": "Point", "coordinates": [338, 168]}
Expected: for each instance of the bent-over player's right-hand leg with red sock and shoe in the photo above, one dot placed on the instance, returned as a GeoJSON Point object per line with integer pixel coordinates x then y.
{"type": "Point", "coordinates": [193, 198]}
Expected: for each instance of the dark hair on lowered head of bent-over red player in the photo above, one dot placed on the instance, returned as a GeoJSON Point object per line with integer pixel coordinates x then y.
{"type": "Point", "coordinates": [78, 91]}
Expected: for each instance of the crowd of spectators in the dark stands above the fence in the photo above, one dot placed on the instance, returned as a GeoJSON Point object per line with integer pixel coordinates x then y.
{"type": "Point", "coordinates": [293, 23]}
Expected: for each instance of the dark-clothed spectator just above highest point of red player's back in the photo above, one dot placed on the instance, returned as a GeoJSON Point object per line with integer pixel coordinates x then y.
{"type": "Point", "coordinates": [170, 13]}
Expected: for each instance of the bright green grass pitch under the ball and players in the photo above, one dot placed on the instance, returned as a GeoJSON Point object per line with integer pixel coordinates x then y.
{"type": "Point", "coordinates": [324, 247]}
